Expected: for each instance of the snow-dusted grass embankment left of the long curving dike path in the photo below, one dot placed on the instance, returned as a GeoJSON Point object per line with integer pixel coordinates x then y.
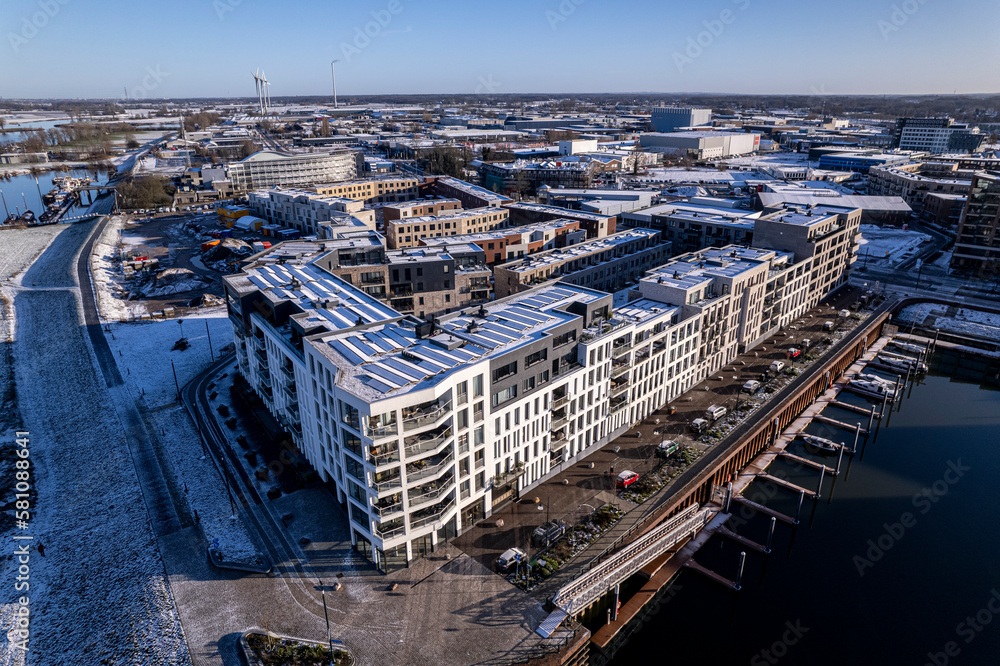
{"type": "Point", "coordinates": [99, 594]}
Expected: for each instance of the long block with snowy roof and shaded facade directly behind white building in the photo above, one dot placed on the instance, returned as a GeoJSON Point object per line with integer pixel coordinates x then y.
{"type": "Point", "coordinates": [606, 264]}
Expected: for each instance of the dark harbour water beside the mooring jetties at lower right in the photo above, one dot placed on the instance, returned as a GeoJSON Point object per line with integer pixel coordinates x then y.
{"type": "Point", "coordinates": [897, 563]}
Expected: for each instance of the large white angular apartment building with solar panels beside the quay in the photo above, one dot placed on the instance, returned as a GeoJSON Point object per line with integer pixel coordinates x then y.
{"type": "Point", "coordinates": [422, 429]}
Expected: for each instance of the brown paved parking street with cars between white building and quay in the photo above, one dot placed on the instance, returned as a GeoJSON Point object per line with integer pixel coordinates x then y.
{"type": "Point", "coordinates": [590, 482]}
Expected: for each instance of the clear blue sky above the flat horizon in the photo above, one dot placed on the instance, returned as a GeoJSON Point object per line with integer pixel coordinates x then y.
{"type": "Point", "coordinates": [191, 48]}
